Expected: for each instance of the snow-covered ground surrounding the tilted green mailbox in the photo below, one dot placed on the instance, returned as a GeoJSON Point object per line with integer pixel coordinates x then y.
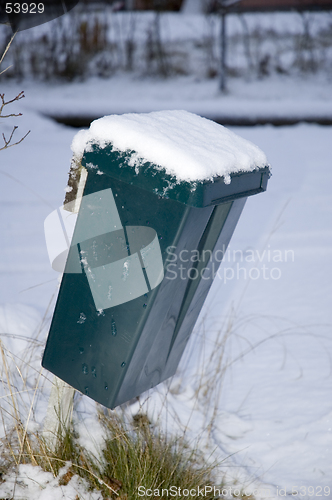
{"type": "Point", "coordinates": [273, 411]}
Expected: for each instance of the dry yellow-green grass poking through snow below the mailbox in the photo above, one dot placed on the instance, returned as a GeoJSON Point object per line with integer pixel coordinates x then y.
{"type": "Point", "coordinates": [135, 451]}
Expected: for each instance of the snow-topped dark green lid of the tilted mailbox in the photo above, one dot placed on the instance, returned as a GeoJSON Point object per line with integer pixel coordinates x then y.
{"type": "Point", "coordinates": [174, 154]}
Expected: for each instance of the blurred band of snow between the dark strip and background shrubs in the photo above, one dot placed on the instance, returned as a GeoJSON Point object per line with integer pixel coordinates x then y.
{"type": "Point", "coordinates": [276, 97]}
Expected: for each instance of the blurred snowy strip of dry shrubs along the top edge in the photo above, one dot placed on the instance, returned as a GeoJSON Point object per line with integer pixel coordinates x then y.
{"type": "Point", "coordinates": [172, 38]}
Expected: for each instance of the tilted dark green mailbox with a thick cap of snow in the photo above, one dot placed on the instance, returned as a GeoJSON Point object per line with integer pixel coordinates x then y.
{"type": "Point", "coordinates": [162, 196]}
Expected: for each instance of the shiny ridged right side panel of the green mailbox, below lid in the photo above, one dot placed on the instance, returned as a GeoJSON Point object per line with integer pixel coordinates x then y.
{"type": "Point", "coordinates": [164, 338]}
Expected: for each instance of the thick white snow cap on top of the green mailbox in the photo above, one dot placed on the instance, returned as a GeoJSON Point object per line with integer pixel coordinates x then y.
{"type": "Point", "coordinates": [187, 146]}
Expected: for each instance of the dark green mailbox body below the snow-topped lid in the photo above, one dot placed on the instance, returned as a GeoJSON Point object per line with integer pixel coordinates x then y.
{"type": "Point", "coordinates": [124, 311]}
